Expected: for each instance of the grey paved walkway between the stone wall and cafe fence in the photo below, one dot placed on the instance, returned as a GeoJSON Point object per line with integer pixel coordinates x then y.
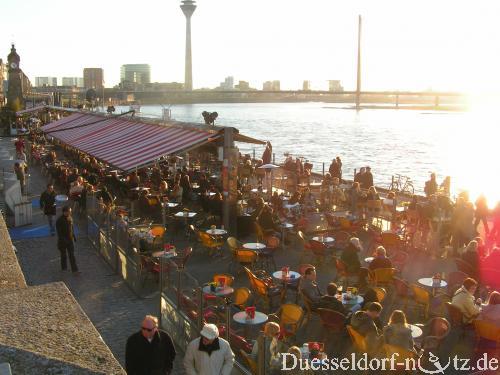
{"type": "Point", "coordinates": [112, 307]}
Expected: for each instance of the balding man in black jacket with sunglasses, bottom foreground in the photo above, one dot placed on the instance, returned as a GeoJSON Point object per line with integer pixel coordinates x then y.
{"type": "Point", "coordinates": [149, 351]}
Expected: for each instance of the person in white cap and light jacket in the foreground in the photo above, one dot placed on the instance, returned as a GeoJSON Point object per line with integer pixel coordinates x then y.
{"type": "Point", "coordinates": [209, 354]}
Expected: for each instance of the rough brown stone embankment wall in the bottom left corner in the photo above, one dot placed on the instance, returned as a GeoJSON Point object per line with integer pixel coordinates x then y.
{"type": "Point", "coordinates": [43, 329]}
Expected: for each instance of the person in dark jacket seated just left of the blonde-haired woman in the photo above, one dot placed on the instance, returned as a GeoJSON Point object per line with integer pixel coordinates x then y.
{"type": "Point", "coordinates": [367, 324]}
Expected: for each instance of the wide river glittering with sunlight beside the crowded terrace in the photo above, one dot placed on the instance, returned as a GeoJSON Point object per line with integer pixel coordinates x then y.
{"type": "Point", "coordinates": [414, 143]}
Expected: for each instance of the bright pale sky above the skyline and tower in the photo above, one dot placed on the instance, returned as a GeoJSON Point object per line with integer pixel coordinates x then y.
{"type": "Point", "coordinates": [406, 45]}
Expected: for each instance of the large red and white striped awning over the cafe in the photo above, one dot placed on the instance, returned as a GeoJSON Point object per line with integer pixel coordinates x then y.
{"type": "Point", "coordinates": [124, 143]}
